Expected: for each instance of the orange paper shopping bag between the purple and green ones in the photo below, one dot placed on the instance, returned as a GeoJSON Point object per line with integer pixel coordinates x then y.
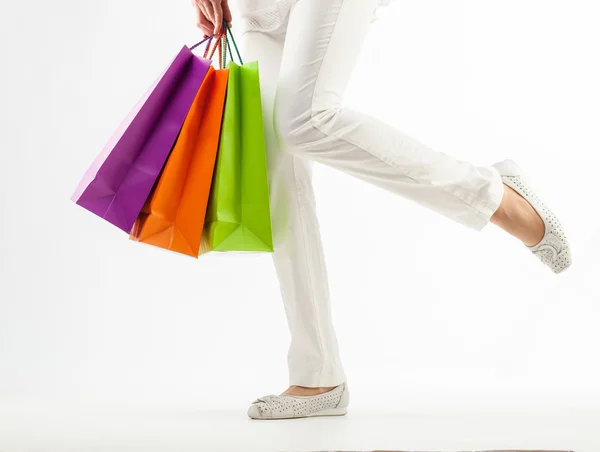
{"type": "Point", "coordinates": [173, 216]}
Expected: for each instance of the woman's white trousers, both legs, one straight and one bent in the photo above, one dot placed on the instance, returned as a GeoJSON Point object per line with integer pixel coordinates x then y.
{"type": "Point", "coordinates": [306, 51]}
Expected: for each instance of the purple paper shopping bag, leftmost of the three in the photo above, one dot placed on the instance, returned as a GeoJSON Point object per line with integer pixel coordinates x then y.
{"type": "Point", "coordinates": [117, 184]}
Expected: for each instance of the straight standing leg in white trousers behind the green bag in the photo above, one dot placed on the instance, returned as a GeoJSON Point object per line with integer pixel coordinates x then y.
{"type": "Point", "coordinates": [313, 357]}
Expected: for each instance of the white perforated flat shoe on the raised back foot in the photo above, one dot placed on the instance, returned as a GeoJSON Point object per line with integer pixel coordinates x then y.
{"type": "Point", "coordinates": [553, 250]}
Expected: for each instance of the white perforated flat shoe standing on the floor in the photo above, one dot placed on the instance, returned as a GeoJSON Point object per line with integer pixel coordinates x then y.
{"type": "Point", "coordinates": [332, 403]}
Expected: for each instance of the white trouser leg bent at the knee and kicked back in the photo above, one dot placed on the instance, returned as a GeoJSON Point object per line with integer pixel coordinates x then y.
{"type": "Point", "coordinates": [324, 38]}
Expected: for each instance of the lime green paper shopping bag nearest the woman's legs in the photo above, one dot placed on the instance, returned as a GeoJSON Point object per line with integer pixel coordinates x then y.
{"type": "Point", "coordinates": [238, 216]}
